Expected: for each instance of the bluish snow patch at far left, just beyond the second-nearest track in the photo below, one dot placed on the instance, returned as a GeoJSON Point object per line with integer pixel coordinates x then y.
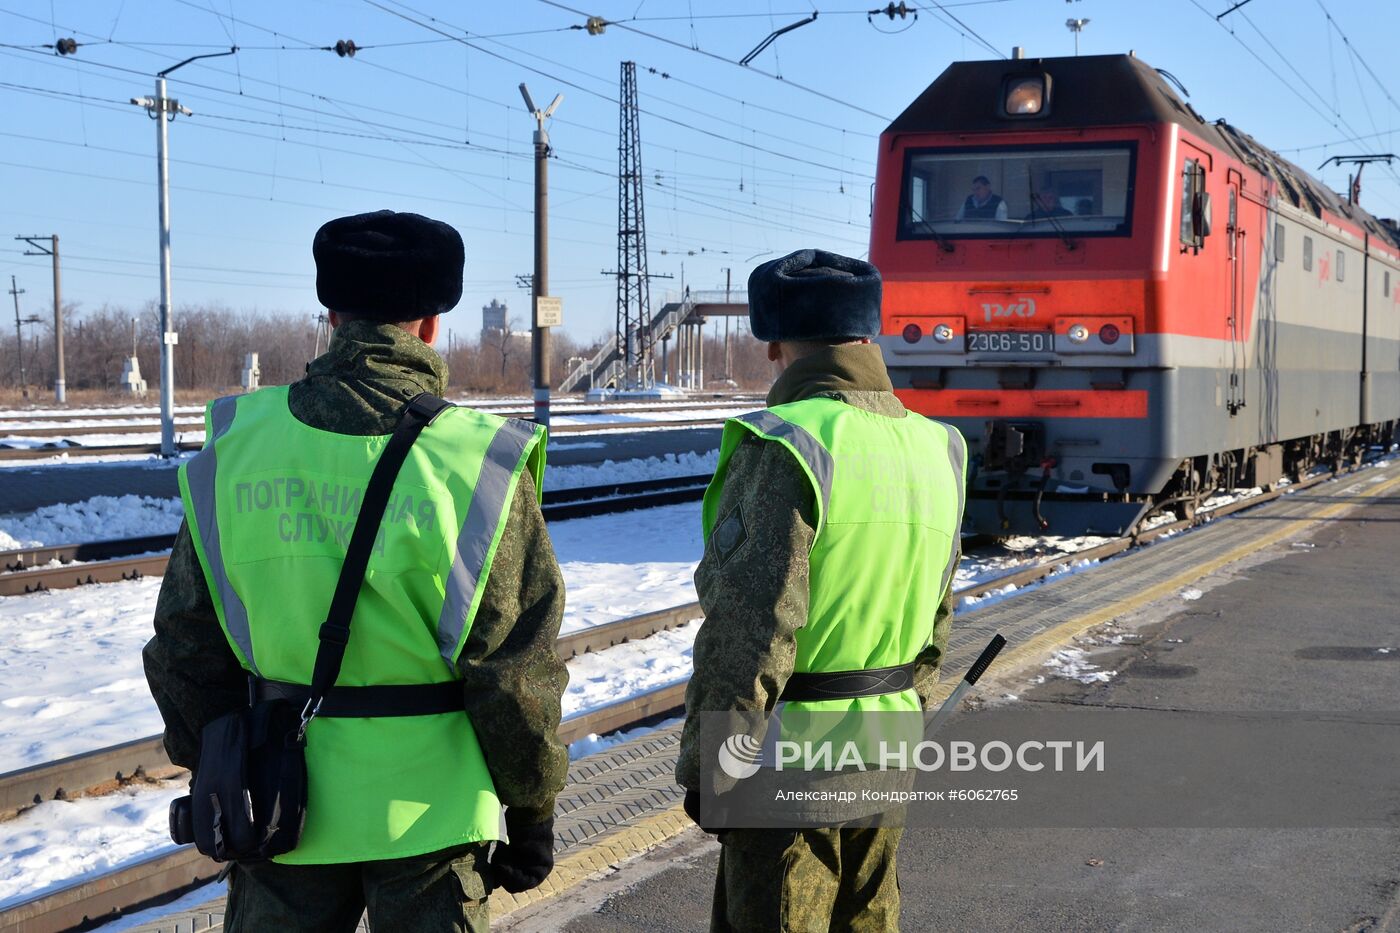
{"type": "Point", "coordinates": [97, 519]}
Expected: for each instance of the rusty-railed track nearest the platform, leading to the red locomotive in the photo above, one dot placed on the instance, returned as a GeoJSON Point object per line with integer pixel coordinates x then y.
{"type": "Point", "coordinates": [167, 875]}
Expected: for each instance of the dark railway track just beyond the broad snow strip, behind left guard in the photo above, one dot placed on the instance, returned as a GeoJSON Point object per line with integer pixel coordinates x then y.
{"type": "Point", "coordinates": [129, 558]}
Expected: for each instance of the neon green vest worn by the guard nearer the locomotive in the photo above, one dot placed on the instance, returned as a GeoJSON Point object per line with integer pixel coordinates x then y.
{"type": "Point", "coordinates": [890, 501]}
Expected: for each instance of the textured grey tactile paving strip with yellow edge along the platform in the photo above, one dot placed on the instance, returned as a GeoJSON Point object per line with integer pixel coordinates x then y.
{"type": "Point", "coordinates": [624, 801]}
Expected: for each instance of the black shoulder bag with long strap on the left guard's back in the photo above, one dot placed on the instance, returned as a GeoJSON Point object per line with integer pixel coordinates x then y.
{"type": "Point", "coordinates": [250, 795]}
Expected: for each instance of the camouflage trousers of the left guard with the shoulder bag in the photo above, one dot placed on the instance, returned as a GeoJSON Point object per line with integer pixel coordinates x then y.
{"type": "Point", "coordinates": [439, 893]}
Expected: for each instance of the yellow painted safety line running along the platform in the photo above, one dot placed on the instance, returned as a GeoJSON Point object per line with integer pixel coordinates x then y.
{"type": "Point", "coordinates": [657, 829]}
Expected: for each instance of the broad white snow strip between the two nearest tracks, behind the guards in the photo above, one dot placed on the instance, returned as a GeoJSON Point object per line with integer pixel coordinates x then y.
{"type": "Point", "coordinates": [71, 669]}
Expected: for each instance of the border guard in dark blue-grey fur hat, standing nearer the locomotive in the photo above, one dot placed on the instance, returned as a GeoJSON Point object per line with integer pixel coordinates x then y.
{"type": "Point", "coordinates": [827, 583]}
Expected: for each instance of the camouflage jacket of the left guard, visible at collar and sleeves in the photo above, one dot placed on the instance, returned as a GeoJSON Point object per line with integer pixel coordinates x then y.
{"type": "Point", "coordinates": [512, 676]}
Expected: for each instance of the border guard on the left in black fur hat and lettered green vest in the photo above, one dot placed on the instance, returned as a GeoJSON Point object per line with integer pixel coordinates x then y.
{"type": "Point", "coordinates": [463, 586]}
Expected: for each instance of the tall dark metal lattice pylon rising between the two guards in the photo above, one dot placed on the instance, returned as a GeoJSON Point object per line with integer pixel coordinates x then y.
{"type": "Point", "coordinates": [633, 292]}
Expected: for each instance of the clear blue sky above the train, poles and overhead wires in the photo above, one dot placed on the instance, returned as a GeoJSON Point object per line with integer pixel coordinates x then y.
{"type": "Point", "coordinates": [740, 165]}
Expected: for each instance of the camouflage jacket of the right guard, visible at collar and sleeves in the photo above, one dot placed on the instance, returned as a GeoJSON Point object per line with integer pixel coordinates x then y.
{"type": "Point", "coordinates": [755, 597]}
